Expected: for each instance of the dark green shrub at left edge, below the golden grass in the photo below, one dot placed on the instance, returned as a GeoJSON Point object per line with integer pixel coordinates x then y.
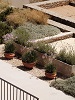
{"type": "Point", "coordinates": [4, 29]}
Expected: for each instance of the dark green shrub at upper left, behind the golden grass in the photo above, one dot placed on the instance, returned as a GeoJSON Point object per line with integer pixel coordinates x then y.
{"type": "Point", "coordinates": [4, 13]}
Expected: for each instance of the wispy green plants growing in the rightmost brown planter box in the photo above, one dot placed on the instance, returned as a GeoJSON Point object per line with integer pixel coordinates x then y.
{"type": "Point", "coordinates": [67, 57]}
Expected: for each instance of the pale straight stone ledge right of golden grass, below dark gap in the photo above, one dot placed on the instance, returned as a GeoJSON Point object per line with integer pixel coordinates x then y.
{"type": "Point", "coordinates": [61, 26]}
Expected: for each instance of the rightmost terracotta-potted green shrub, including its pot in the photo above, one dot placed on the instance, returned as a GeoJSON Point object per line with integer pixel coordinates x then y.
{"type": "Point", "coordinates": [50, 71]}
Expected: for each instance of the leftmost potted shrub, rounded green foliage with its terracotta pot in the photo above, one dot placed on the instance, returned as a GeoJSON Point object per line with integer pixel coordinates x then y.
{"type": "Point", "coordinates": [9, 50]}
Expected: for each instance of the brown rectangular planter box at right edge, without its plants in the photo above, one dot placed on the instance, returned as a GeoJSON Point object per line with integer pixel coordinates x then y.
{"type": "Point", "coordinates": [64, 68]}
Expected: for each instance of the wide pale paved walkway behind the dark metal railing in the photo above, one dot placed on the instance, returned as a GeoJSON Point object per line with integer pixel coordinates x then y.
{"type": "Point", "coordinates": [30, 83]}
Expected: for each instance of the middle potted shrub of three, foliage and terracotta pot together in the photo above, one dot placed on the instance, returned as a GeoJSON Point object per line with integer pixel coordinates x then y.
{"type": "Point", "coordinates": [29, 59]}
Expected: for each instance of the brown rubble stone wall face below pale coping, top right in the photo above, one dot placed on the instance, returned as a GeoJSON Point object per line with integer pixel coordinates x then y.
{"type": "Point", "coordinates": [55, 4]}
